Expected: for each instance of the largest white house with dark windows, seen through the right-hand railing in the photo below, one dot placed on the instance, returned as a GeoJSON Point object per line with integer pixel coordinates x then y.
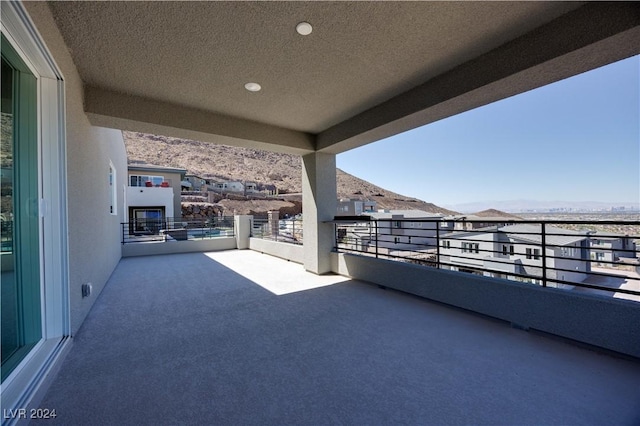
{"type": "Point", "coordinates": [508, 251]}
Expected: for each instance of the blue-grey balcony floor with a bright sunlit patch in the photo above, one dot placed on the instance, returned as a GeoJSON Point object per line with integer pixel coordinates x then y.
{"type": "Point", "coordinates": [239, 337]}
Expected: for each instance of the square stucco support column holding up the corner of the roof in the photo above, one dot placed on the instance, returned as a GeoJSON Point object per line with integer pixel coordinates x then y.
{"type": "Point", "coordinates": [319, 198]}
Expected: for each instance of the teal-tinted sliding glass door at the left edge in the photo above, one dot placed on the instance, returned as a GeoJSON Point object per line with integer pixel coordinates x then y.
{"type": "Point", "coordinates": [20, 254]}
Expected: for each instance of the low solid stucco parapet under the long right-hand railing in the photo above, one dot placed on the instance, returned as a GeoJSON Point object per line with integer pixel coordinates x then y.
{"type": "Point", "coordinates": [609, 323]}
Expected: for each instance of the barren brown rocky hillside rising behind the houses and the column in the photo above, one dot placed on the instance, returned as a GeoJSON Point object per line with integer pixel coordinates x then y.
{"type": "Point", "coordinates": [230, 163]}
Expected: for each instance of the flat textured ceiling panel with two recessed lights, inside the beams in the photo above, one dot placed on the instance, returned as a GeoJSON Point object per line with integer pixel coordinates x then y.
{"type": "Point", "coordinates": [199, 55]}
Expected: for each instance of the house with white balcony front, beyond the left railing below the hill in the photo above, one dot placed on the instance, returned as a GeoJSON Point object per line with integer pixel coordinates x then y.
{"type": "Point", "coordinates": [153, 193]}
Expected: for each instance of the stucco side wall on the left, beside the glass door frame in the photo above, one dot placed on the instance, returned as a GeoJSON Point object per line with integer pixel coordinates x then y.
{"type": "Point", "coordinates": [94, 233]}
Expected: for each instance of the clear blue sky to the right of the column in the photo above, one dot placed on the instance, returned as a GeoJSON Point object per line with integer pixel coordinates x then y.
{"type": "Point", "coordinates": [574, 140]}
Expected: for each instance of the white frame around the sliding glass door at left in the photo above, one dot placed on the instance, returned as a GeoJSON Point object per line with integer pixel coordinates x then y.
{"type": "Point", "coordinates": [20, 387]}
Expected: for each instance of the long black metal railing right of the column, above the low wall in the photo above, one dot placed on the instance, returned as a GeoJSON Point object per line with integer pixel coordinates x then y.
{"type": "Point", "coordinates": [600, 256]}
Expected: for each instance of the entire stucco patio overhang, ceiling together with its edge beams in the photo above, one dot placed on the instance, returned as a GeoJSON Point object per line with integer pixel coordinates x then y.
{"type": "Point", "coordinates": [369, 70]}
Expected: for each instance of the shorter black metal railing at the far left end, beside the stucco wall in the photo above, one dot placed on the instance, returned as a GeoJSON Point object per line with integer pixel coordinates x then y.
{"type": "Point", "coordinates": [176, 229]}
